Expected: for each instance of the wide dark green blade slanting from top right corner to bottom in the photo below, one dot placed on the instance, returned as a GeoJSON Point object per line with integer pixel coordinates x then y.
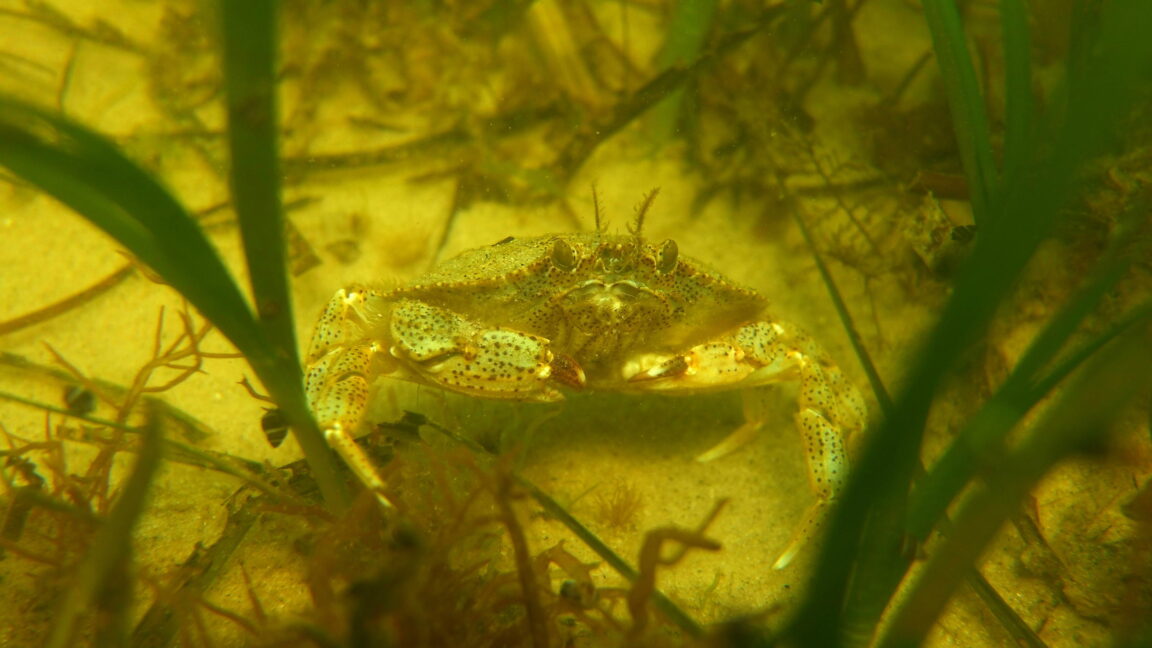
{"type": "Point", "coordinates": [891, 456]}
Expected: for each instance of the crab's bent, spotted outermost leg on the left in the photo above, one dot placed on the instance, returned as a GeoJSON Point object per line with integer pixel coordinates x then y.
{"type": "Point", "coordinates": [343, 360]}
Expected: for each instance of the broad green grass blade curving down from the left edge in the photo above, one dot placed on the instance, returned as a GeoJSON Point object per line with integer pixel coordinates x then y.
{"type": "Point", "coordinates": [92, 176]}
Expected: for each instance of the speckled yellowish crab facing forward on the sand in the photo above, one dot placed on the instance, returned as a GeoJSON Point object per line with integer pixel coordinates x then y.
{"type": "Point", "coordinates": [532, 320]}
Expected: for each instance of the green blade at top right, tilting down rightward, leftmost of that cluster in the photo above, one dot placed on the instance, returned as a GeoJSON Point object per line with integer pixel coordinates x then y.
{"type": "Point", "coordinates": [969, 118]}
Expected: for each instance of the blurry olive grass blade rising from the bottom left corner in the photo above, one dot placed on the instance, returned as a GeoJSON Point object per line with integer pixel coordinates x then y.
{"type": "Point", "coordinates": [104, 574]}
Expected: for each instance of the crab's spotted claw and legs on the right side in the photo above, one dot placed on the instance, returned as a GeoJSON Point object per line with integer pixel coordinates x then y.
{"type": "Point", "coordinates": [830, 410]}
